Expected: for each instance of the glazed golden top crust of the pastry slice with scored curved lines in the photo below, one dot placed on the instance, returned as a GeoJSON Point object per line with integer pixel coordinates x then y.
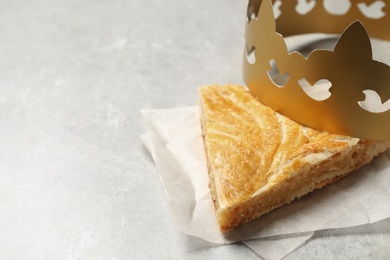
{"type": "Point", "coordinates": [251, 143]}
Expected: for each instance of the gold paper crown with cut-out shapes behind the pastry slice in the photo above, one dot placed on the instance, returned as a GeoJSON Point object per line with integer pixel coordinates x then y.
{"type": "Point", "coordinates": [348, 74]}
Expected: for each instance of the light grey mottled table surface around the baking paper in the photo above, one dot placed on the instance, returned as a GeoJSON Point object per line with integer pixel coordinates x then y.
{"type": "Point", "coordinates": [76, 182]}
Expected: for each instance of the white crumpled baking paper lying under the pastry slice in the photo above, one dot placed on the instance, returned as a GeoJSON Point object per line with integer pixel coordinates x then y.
{"type": "Point", "coordinates": [174, 139]}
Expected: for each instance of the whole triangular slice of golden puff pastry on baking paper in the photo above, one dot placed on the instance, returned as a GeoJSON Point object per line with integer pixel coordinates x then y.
{"type": "Point", "coordinates": [259, 160]}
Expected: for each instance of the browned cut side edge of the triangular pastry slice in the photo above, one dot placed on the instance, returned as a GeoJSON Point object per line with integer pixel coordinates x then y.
{"type": "Point", "coordinates": [276, 195]}
